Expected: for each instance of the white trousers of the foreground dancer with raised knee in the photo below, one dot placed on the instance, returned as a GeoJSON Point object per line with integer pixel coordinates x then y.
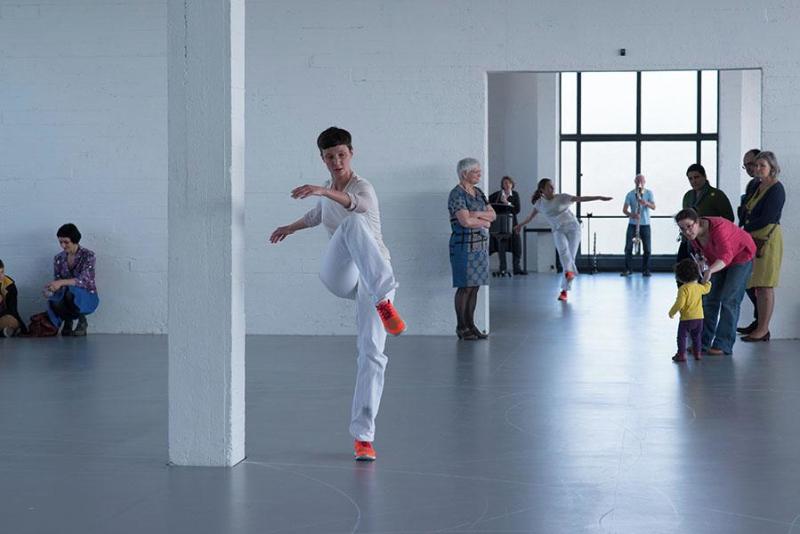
{"type": "Point", "coordinates": [354, 268]}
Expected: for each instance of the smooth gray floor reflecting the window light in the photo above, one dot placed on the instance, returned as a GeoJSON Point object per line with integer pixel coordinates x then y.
{"type": "Point", "coordinates": [571, 418]}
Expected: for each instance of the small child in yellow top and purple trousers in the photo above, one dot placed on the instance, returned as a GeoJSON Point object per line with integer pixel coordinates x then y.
{"type": "Point", "coordinates": [689, 303]}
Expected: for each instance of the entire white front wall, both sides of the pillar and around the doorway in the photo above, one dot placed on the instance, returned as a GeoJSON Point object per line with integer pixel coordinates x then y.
{"type": "Point", "coordinates": [83, 112]}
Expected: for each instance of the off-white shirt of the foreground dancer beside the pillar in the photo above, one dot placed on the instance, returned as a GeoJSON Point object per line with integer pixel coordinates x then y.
{"type": "Point", "coordinates": [363, 200]}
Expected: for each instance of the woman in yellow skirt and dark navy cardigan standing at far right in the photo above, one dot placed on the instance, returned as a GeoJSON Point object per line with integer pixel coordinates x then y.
{"type": "Point", "coordinates": [762, 217]}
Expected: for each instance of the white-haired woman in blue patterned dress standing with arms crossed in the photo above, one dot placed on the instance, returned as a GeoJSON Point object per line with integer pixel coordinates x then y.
{"type": "Point", "coordinates": [470, 218]}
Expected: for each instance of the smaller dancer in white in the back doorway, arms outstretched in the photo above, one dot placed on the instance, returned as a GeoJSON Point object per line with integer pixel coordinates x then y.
{"type": "Point", "coordinates": [565, 226]}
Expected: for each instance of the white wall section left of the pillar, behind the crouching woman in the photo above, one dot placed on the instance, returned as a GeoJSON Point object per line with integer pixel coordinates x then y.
{"type": "Point", "coordinates": [83, 139]}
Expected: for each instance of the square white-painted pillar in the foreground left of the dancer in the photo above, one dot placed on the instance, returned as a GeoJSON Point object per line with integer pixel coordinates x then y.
{"type": "Point", "coordinates": [206, 232]}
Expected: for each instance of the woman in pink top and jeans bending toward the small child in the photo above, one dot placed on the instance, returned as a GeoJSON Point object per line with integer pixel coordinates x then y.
{"type": "Point", "coordinates": [724, 253]}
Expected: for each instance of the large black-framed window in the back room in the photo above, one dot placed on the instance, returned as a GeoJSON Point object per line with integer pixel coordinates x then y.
{"type": "Point", "coordinates": [615, 125]}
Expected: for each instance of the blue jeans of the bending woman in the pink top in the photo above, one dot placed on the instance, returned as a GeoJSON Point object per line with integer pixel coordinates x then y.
{"type": "Point", "coordinates": [721, 306]}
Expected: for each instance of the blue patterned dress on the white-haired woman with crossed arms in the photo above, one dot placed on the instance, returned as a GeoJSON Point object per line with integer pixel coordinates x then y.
{"type": "Point", "coordinates": [469, 247]}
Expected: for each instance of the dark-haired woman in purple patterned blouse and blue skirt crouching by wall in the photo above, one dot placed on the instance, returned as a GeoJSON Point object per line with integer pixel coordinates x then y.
{"type": "Point", "coordinates": [72, 294]}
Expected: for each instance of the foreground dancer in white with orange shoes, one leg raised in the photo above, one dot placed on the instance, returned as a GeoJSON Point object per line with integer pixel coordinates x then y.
{"type": "Point", "coordinates": [355, 266]}
